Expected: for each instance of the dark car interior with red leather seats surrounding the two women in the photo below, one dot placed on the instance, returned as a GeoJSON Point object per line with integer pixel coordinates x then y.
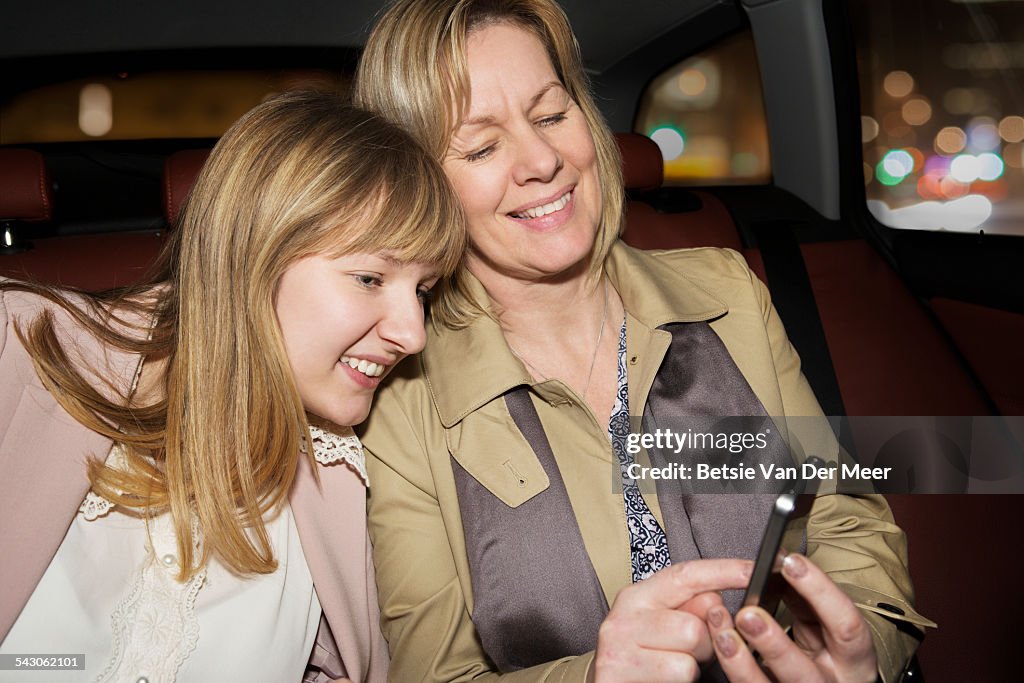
{"type": "Point", "coordinates": [888, 322]}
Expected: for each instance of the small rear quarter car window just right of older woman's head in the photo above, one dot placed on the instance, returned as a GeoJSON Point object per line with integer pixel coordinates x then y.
{"type": "Point", "coordinates": [707, 115]}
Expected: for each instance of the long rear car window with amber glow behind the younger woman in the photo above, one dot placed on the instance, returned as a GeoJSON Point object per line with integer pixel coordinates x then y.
{"type": "Point", "coordinates": [149, 105]}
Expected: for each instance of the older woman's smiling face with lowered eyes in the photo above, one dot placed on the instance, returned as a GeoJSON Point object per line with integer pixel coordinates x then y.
{"type": "Point", "coordinates": [524, 163]}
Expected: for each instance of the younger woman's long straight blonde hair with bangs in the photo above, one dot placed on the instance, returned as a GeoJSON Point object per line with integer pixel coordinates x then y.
{"type": "Point", "coordinates": [301, 175]}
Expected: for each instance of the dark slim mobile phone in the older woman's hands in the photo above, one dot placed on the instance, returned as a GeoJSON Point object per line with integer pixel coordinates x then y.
{"type": "Point", "coordinates": [782, 538]}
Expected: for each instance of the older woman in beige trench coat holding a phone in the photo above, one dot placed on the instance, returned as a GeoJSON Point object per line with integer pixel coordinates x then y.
{"type": "Point", "coordinates": [498, 541]}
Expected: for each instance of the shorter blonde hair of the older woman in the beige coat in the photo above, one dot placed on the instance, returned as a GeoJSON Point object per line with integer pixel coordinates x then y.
{"type": "Point", "coordinates": [414, 72]}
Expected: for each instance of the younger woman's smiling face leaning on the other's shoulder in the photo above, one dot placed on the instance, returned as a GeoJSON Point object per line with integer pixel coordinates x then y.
{"type": "Point", "coordinates": [347, 322]}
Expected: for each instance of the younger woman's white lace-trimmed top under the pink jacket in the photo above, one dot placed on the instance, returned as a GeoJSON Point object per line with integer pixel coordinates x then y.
{"type": "Point", "coordinates": [111, 594]}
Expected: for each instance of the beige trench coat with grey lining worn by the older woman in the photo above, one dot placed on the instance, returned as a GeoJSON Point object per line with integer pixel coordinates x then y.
{"type": "Point", "coordinates": [449, 404]}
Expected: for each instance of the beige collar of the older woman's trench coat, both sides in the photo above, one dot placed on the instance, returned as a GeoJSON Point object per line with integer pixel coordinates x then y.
{"type": "Point", "coordinates": [466, 369]}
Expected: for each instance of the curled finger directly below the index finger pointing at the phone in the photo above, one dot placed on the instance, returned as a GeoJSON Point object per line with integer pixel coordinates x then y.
{"type": "Point", "coordinates": [665, 630]}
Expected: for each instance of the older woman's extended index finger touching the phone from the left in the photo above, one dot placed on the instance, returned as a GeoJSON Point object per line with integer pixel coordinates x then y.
{"type": "Point", "coordinates": [674, 586]}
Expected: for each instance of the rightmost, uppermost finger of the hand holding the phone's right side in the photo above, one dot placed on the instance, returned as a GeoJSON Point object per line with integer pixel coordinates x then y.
{"type": "Point", "coordinates": [843, 627]}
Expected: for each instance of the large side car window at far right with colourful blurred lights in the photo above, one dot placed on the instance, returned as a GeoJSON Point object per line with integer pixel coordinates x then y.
{"type": "Point", "coordinates": [943, 113]}
